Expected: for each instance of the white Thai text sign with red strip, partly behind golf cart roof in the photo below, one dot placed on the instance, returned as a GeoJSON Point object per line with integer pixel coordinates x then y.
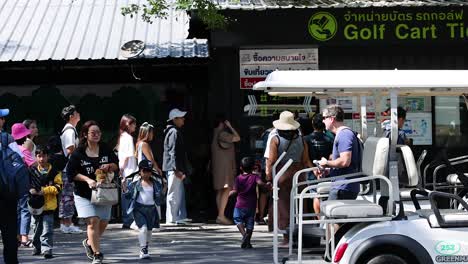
{"type": "Point", "coordinates": [256, 64]}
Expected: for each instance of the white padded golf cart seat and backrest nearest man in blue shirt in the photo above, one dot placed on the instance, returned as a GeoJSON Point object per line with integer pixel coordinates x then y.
{"type": "Point", "coordinates": [375, 160]}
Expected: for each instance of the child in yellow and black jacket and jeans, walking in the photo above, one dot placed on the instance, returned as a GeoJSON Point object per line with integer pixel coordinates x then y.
{"type": "Point", "coordinates": [46, 181]}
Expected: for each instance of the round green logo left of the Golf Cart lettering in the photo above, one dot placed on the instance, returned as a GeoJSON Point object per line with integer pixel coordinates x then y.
{"type": "Point", "coordinates": [322, 26]}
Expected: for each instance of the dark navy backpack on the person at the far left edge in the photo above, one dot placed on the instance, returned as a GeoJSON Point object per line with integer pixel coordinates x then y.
{"type": "Point", "coordinates": [14, 174]}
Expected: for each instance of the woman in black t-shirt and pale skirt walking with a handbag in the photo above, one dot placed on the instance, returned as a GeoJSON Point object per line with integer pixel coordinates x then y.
{"type": "Point", "coordinates": [91, 155]}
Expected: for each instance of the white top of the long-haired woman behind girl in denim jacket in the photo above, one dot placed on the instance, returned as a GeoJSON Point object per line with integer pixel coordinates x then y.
{"type": "Point", "coordinates": [127, 150]}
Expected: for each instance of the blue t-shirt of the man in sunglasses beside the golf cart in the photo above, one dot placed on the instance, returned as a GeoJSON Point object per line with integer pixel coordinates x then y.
{"type": "Point", "coordinates": [346, 141]}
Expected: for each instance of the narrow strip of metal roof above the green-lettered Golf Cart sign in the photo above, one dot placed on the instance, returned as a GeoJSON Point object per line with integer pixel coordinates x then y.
{"type": "Point", "coordinates": [277, 4]}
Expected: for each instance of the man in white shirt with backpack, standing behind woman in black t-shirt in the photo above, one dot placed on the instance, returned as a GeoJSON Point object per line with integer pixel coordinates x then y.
{"type": "Point", "coordinates": [69, 139]}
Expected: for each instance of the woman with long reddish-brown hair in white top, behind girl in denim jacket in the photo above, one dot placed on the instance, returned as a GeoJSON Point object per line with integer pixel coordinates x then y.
{"type": "Point", "coordinates": [127, 161]}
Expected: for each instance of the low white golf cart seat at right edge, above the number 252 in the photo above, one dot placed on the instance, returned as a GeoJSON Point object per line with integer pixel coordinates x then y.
{"type": "Point", "coordinates": [451, 217]}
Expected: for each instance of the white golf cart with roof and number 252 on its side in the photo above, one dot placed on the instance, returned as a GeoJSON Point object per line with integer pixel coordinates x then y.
{"type": "Point", "coordinates": [375, 228]}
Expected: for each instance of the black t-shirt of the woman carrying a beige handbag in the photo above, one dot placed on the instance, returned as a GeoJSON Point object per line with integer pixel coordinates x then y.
{"type": "Point", "coordinates": [82, 164]}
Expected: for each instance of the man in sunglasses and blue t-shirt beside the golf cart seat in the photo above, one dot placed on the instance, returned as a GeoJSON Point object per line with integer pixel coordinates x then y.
{"type": "Point", "coordinates": [346, 155]}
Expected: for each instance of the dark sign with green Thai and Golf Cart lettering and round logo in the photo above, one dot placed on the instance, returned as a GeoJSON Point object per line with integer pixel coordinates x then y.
{"type": "Point", "coordinates": [386, 24]}
